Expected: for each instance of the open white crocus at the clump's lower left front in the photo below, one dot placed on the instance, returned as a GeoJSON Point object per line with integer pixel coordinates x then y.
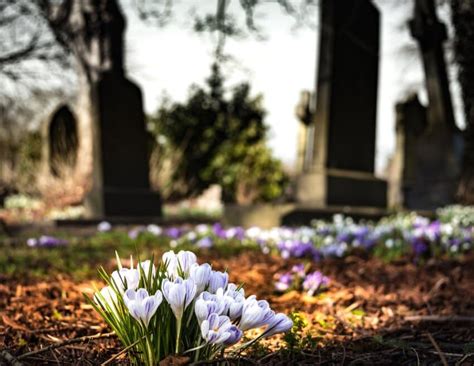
{"type": "Point", "coordinates": [142, 307]}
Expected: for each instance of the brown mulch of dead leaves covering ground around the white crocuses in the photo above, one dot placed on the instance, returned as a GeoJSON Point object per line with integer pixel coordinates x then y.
{"type": "Point", "coordinates": [373, 313]}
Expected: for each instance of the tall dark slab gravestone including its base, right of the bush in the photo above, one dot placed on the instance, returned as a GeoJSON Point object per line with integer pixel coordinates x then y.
{"type": "Point", "coordinates": [340, 169]}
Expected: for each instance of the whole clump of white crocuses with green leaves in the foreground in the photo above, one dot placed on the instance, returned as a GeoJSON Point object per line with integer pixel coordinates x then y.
{"type": "Point", "coordinates": [148, 306]}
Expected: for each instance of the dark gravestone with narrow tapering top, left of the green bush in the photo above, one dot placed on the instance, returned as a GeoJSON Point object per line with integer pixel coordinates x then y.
{"type": "Point", "coordinates": [120, 155]}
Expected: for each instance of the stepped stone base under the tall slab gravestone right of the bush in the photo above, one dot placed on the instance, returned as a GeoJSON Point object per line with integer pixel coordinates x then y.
{"type": "Point", "coordinates": [341, 188]}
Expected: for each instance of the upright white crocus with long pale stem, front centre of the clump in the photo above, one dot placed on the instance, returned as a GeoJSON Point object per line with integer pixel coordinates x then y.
{"type": "Point", "coordinates": [179, 294]}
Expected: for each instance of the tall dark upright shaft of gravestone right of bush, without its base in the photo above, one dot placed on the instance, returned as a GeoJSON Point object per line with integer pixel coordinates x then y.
{"type": "Point", "coordinates": [347, 85]}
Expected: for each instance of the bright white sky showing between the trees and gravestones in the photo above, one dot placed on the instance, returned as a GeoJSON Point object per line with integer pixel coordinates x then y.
{"type": "Point", "coordinates": [168, 60]}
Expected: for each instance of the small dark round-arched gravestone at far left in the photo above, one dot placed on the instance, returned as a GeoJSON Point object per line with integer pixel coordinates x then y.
{"type": "Point", "coordinates": [62, 142]}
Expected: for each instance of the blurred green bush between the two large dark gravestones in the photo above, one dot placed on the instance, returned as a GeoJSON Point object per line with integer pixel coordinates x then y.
{"type": "Point", "coordinates": [216, 137]}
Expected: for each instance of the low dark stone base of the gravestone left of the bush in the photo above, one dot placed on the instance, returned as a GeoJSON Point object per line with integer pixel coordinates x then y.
{"type": "Point", "coordinates": [124, 203]}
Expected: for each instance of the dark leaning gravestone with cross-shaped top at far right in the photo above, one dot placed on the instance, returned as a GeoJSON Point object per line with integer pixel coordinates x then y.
{"type": "Point", "coordinates": [436, 153]}
